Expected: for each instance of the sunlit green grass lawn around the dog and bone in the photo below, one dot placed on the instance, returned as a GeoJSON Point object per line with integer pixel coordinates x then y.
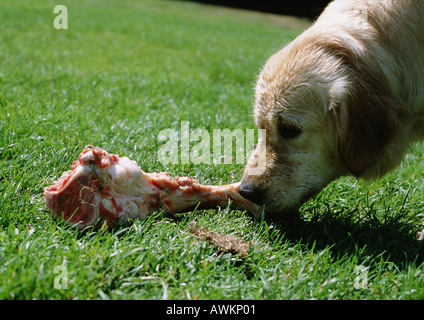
{"type": "Point", "coordinates": [123, 71]}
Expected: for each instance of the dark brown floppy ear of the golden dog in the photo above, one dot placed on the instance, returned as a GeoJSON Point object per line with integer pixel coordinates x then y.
{"type": "Point", "coordinates": [367, 120]}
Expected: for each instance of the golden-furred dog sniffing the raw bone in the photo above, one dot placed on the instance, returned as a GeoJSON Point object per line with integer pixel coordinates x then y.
{"type": "Point", "coordinates": [346, 97]}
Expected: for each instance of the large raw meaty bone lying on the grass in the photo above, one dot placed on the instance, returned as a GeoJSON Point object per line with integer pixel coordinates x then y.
{"type": "Point", "coordinates": [113, 189]}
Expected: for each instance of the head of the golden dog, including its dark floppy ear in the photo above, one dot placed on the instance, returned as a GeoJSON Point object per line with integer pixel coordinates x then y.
{"type": "Point", "coordinates": [324, 117]}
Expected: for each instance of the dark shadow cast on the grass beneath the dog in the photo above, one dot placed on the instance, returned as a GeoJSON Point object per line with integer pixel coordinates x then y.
{"type": "Point", "coordinates": [392, 238]}
